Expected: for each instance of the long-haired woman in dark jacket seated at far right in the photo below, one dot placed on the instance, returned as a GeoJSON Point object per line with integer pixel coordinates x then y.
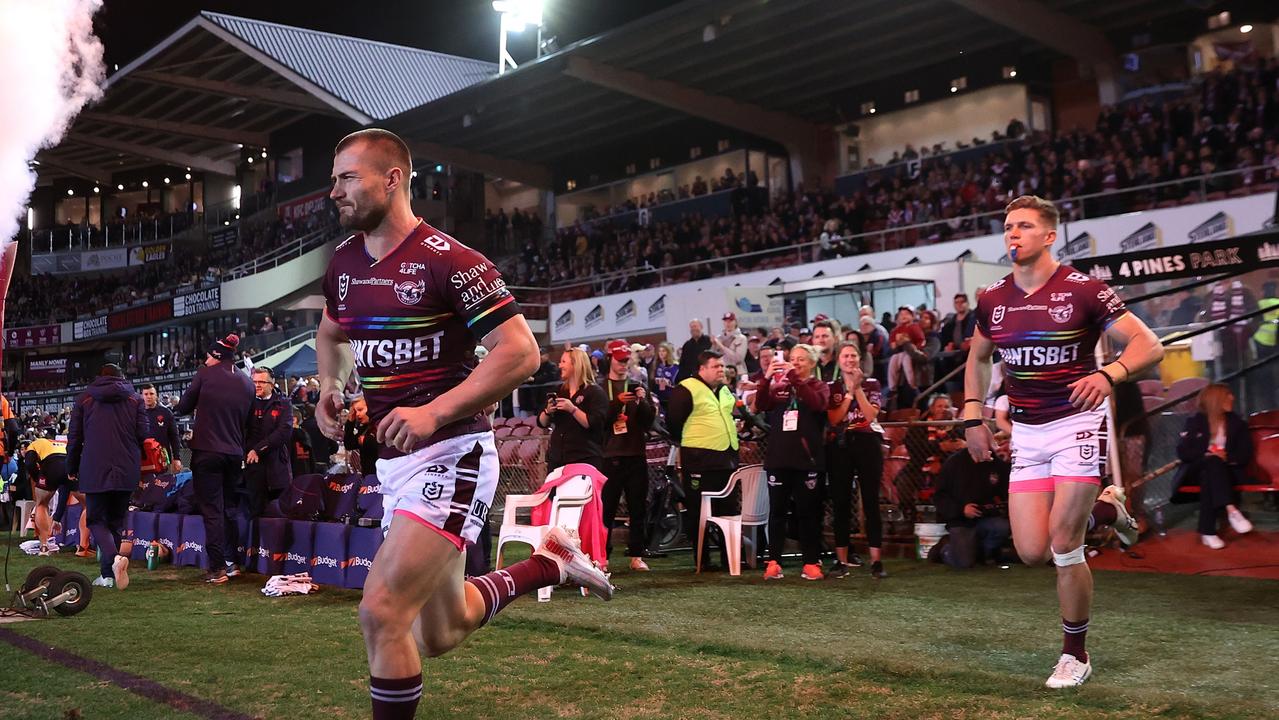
{"type": "Point", "coordinates": [1216, 448]}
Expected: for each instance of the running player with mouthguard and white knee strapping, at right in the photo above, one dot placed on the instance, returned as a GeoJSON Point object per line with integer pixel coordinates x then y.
{"type": "Point", "coordinates": [1046, 320]}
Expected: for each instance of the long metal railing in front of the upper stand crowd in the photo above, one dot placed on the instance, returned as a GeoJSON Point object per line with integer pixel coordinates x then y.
{"type": "Point", "coordinates": [1074, 209]}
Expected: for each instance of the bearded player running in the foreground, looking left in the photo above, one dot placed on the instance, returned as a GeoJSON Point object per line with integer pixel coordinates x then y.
{"type": "Point", "coordinates": [406, 305]}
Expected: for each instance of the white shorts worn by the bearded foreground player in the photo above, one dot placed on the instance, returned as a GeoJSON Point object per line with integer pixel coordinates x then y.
{"type": "Point", "coordinates": [447, 487]}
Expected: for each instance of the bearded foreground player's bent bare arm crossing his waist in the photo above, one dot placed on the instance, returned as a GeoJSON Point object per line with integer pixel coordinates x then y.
{"type": "Point", "coordinates": [512, 359]}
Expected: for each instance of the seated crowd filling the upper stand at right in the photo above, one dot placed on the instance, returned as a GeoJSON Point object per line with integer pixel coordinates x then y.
{"type": "Point", "coordinates": [1185, 144]}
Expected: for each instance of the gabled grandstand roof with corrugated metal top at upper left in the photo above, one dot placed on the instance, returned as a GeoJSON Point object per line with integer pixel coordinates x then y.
{"type": "Point", "coordinates": [222, 82]}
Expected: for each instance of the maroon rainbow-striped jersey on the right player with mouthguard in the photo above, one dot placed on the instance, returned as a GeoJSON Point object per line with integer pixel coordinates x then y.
{"type": "Point", "coordinates": [1047, 340]}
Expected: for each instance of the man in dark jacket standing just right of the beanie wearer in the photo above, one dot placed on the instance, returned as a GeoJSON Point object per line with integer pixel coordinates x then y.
{"type": "Point", "coordinates": [268, 470]}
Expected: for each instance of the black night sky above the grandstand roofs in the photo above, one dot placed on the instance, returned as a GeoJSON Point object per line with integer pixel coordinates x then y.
{"type": "Point", "coordinates": [460, 27]}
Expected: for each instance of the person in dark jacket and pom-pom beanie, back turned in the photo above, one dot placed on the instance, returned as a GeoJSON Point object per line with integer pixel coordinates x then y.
{"type": "Point", "coordinates": [222, 400]}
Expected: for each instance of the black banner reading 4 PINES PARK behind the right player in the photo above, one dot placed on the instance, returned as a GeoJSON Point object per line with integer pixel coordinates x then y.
{"type": "Point", "coordinates": [1232, 255]}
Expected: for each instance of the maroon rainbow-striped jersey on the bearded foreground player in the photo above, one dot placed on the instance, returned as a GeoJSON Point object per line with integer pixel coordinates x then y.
{"type": "Point", "coordinates": [414, 319]}
